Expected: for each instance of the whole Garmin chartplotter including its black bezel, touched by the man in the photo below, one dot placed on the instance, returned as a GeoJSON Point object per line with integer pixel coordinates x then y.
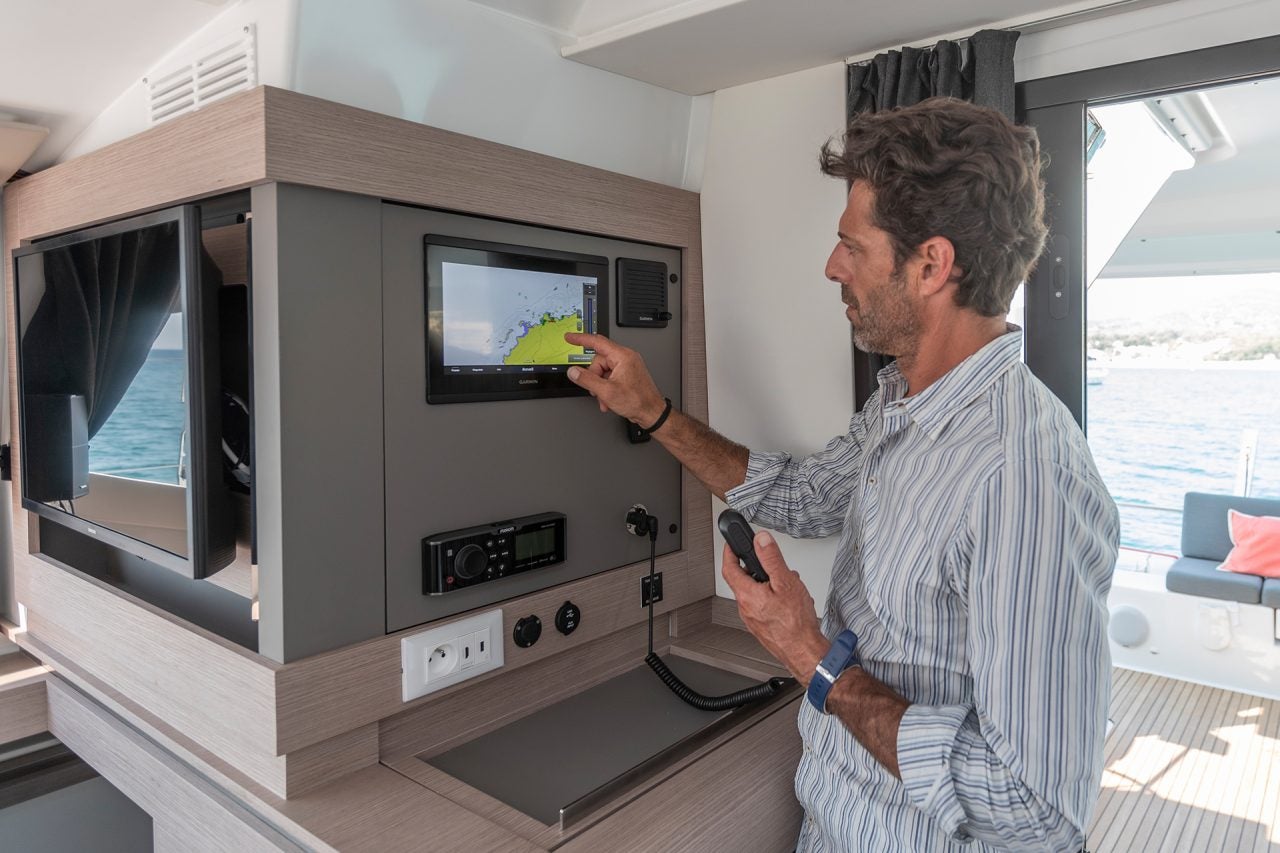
{"type": "Point", "coordinates": [497, 318]}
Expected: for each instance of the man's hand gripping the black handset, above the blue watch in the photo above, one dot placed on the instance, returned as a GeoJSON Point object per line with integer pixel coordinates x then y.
{"type": "Point", "coordinates": [780, 613]}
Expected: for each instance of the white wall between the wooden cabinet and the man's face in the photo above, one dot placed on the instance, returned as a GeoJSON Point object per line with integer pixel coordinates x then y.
{"type": "Point", "coordinates": [778, 341]}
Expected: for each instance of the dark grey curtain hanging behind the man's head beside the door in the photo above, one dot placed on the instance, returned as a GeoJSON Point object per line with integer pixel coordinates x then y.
{"type": "Point", "coordinates": [984, 75]}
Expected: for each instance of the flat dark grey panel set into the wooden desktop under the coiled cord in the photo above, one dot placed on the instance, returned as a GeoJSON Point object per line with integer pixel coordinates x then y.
{"type": "Point", "coordinates": [564, 752]}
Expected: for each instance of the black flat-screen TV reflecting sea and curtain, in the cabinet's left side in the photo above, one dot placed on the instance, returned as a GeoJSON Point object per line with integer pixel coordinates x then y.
{"type": "Point", "coordinates": [120, 391]}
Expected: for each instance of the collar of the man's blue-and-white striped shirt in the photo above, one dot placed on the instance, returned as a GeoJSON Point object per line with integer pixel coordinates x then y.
{"type": "Point", "coordinates": [934, 408]}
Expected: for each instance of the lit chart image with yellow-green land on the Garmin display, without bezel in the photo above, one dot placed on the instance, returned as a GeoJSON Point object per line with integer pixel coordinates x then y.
{"type": "Point", "coordinates": [504, 318]}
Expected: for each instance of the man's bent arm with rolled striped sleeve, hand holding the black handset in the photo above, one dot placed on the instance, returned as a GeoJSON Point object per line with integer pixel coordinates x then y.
{"type": "Point", "coordinates": [1021, 765]}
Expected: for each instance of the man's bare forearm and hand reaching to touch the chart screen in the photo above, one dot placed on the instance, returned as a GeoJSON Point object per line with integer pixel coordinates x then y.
{"type": "Point", "coordinates": [620, 382]}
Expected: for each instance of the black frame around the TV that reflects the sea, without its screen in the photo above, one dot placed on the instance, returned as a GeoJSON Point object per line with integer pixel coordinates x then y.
{"type": "Point", "coordinates": [203, 386]}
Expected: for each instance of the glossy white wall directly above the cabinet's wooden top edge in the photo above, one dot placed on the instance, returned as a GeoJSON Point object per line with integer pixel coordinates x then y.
{"type": "Point", "coordinates": [469, 69]}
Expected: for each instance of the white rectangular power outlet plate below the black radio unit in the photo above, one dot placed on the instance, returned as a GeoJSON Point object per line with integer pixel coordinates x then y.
{"type": "Point", "coordinates": [444, 656]}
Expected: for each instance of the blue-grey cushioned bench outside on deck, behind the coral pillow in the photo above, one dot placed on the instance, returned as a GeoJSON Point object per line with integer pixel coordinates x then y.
{"type": "Point", "coordinates": [1206, 542]}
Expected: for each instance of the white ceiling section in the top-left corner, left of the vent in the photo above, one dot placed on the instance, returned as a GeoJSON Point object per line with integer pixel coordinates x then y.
{"type": "Point", "coordinates": [65, 62]}
